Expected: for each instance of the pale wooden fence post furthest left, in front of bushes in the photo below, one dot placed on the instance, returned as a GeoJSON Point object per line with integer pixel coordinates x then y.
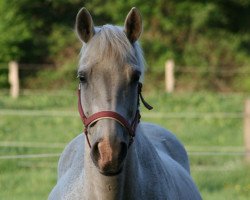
{"type": "Point", "coordinates": [14, 79]}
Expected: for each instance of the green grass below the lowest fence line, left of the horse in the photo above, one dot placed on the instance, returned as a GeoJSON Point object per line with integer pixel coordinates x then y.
{"type": "Point", "coordinates": [26, 180]}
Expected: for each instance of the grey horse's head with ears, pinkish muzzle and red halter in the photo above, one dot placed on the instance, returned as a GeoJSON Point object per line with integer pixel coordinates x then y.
{"type": "Point", "coordinates": [110, 70]}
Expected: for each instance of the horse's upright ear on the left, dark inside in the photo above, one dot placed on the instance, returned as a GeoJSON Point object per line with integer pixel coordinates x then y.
{"type": "Point", "coordinates": [84, 25]}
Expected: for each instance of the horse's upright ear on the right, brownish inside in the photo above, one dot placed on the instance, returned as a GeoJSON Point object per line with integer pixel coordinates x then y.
{"type": "Point", "coordinates": [133, 25]}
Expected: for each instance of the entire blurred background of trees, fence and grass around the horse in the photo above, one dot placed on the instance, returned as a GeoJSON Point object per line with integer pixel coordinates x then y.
{"type": "Point", "coordinates": [197, 79]}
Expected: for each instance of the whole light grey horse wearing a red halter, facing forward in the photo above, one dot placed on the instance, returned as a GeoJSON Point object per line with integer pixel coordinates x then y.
{"type": "Point", "coordinates": [117, 156]}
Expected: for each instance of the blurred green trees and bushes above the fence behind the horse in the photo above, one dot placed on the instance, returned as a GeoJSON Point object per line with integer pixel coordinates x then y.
{"type": "Point", "coordinates": [204, 34]}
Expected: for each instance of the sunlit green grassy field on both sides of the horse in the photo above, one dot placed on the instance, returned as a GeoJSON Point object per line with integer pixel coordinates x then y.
{"type": "Point", "coordinates": [44, 123]}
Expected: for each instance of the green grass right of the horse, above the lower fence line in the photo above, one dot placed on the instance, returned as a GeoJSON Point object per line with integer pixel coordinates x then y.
{"type": "Point", "coordinates": [202, 130]}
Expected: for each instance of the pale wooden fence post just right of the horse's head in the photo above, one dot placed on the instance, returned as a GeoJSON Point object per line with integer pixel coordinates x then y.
{"type": "Point", "coordinates": [169, 76]}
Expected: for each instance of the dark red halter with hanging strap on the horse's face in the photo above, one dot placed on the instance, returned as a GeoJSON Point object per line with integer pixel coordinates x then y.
{"type": "Point", "coordinates": [131, 128]}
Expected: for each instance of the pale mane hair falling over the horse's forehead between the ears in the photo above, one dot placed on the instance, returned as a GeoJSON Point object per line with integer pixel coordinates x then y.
{"type": "Point", "coordinates": [111, 43]}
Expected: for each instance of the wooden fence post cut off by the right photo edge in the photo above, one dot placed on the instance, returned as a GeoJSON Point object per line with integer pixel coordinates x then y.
{"type": "Point", "coordinates": [247, 129]}
